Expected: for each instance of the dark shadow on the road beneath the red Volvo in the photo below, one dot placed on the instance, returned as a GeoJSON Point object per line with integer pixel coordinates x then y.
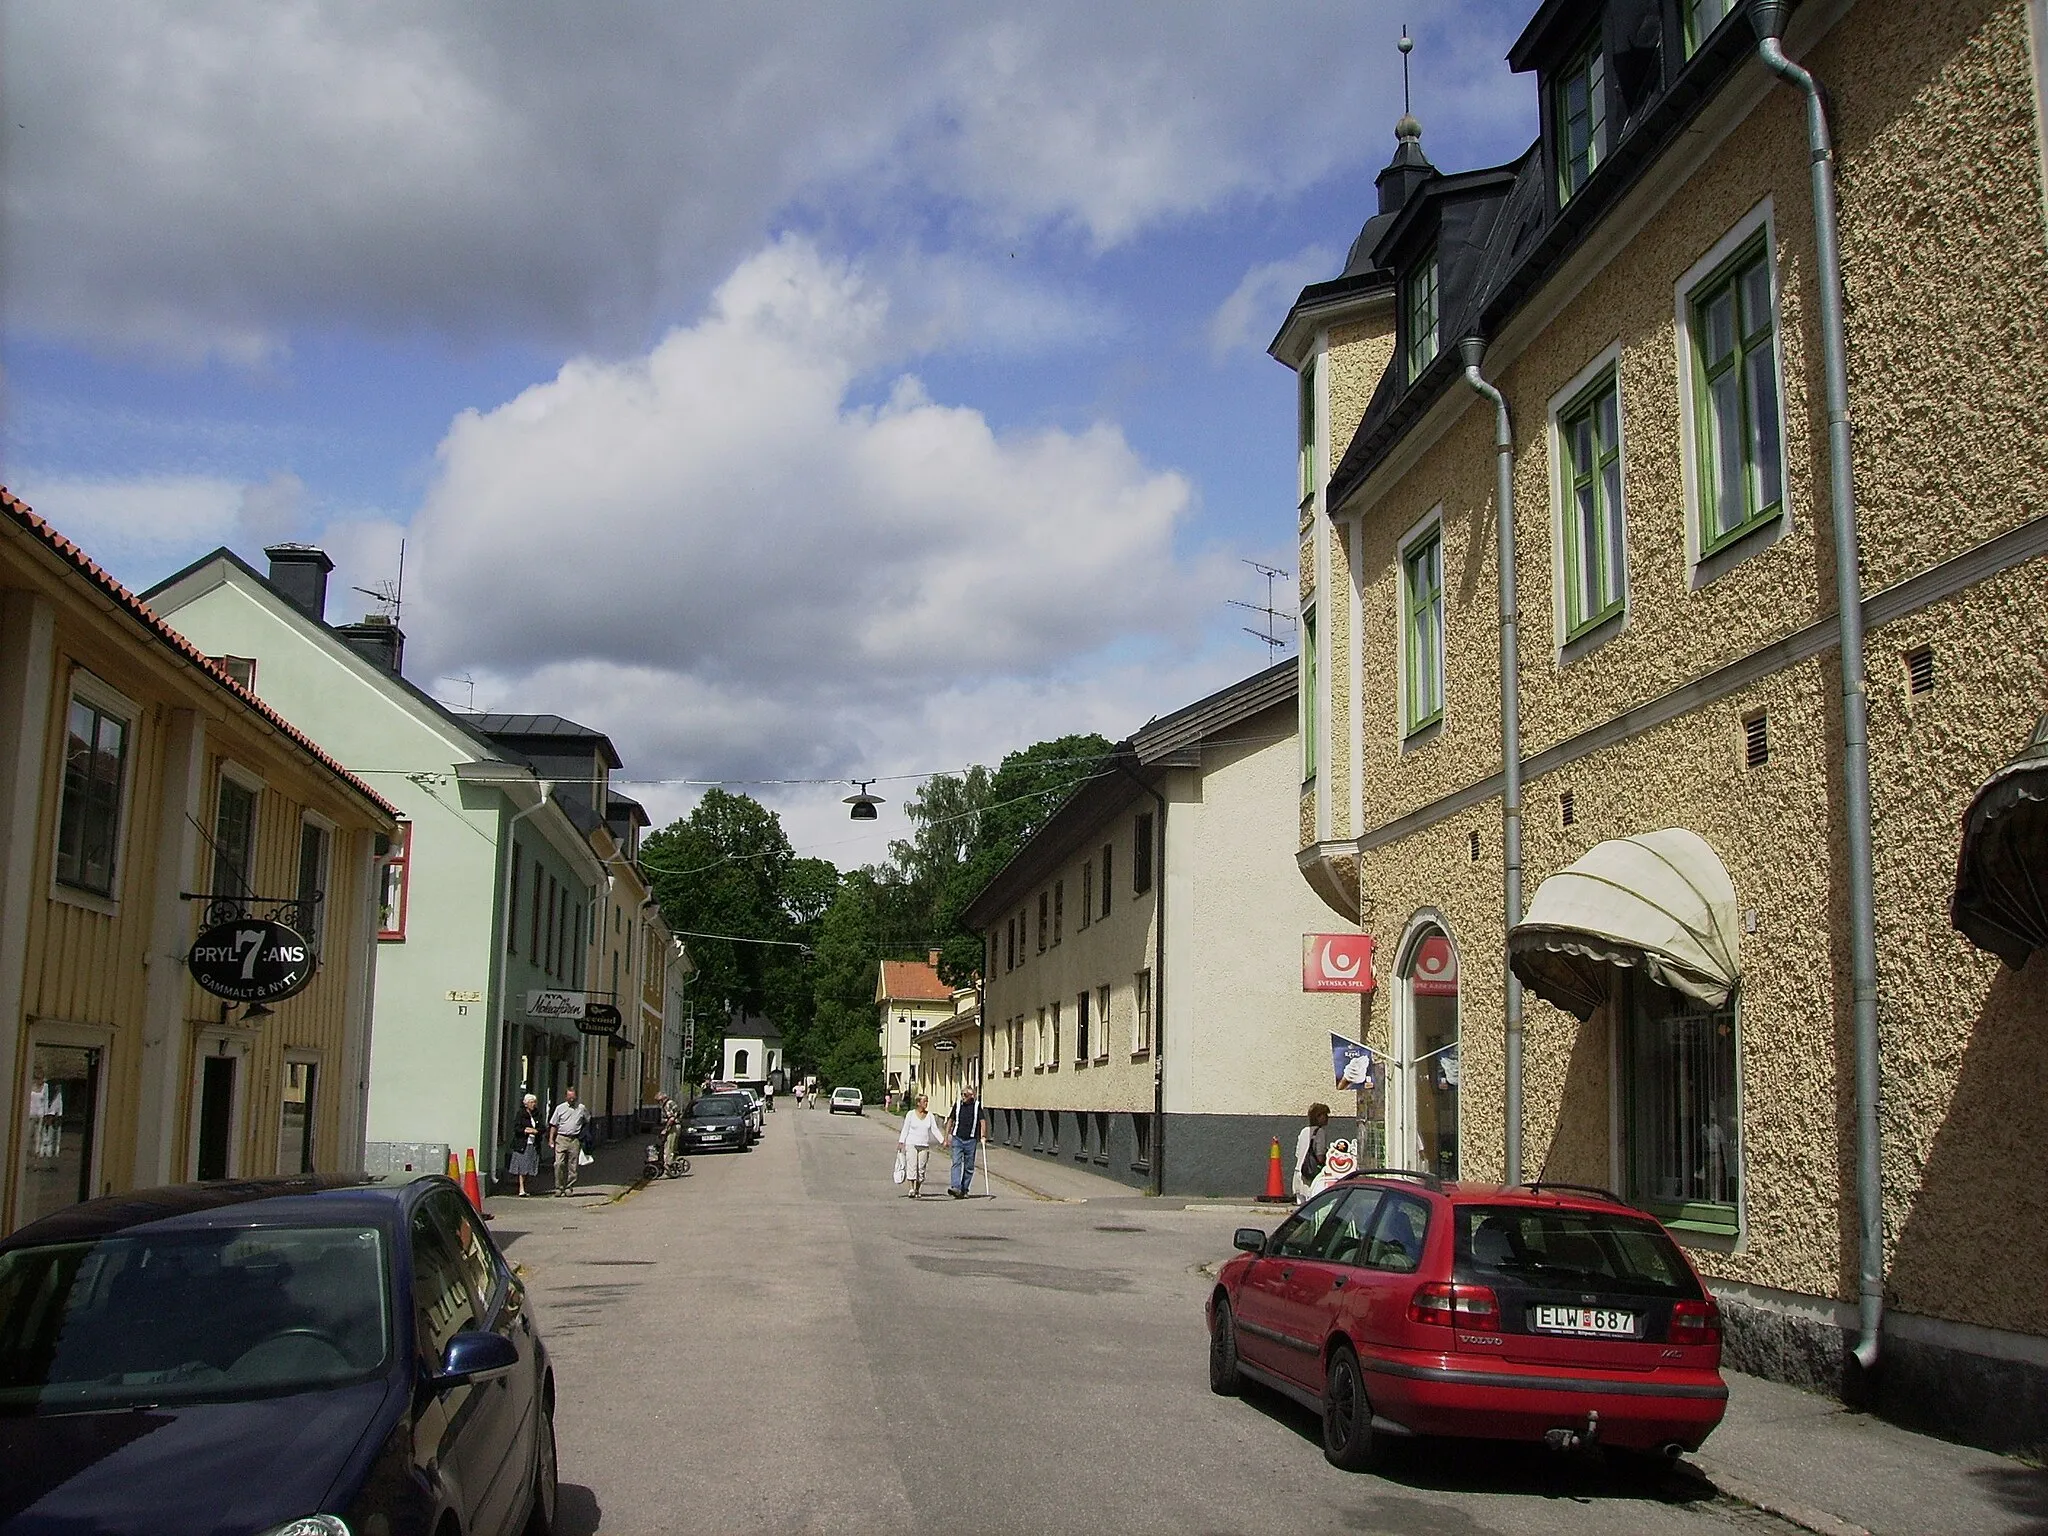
{"type": "Point", "coordinates": [1506, 1467]}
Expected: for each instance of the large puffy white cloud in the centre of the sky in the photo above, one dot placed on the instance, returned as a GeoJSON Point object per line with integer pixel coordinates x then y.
{"type": "Point", "coordinates": [722, 560]}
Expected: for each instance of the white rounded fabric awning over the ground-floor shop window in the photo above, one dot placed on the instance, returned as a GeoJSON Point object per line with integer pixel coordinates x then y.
{"type": "Point", "coordinates": [1658, 902]}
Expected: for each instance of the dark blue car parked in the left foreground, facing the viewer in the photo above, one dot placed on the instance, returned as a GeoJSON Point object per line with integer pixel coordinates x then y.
{"type": "Point", "coordinates": [294, 1357]}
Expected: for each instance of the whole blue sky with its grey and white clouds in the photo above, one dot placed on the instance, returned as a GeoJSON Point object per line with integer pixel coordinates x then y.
{"type": "Point", "coordinates": [792, 390]}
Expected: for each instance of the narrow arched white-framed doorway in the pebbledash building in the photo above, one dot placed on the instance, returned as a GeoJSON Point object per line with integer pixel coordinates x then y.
{"type": "Point", "coordinates": [1422, 1103]}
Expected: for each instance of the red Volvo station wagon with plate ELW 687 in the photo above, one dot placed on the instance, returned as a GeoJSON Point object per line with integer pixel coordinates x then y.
{"type": "Point", "coordinates": [1404, 1306]}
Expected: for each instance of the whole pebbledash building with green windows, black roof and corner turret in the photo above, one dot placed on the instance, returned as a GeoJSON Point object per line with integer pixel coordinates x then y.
{"type": "Point", "coordinates": [1646, 292]}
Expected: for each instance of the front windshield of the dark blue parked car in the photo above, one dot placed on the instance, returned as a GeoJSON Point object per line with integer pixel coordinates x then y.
{"type": "Point", "coordinates": [191, 1316]}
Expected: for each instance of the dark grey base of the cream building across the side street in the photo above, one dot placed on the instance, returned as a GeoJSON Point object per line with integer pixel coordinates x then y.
{"type": "Point", "coordinates": [1207, 1156]}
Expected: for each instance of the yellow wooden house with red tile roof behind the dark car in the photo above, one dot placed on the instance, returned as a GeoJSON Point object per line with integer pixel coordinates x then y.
{"type": "Point", "coordinates": [140, 787]}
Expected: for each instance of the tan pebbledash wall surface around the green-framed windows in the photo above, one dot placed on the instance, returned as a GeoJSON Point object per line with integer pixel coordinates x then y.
{"type": "Point", "coordinates": [1943, 220]}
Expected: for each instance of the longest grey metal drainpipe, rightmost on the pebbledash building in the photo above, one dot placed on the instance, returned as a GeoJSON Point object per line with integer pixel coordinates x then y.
{"type": "Point", "coordinates": [1768, 19]}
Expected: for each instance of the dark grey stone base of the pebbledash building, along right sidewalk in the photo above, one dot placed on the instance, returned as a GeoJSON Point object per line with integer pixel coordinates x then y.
{"type": "Point", "coordinates": [1936, 1385]}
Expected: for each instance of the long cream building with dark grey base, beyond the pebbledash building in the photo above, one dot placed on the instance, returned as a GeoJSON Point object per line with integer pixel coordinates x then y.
{"type": "Point", "coordinates": [1142, 1002]}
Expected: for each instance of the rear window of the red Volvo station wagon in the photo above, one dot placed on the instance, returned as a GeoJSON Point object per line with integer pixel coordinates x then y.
{"type": "Point", "coordinates": [1574, 1250]}
